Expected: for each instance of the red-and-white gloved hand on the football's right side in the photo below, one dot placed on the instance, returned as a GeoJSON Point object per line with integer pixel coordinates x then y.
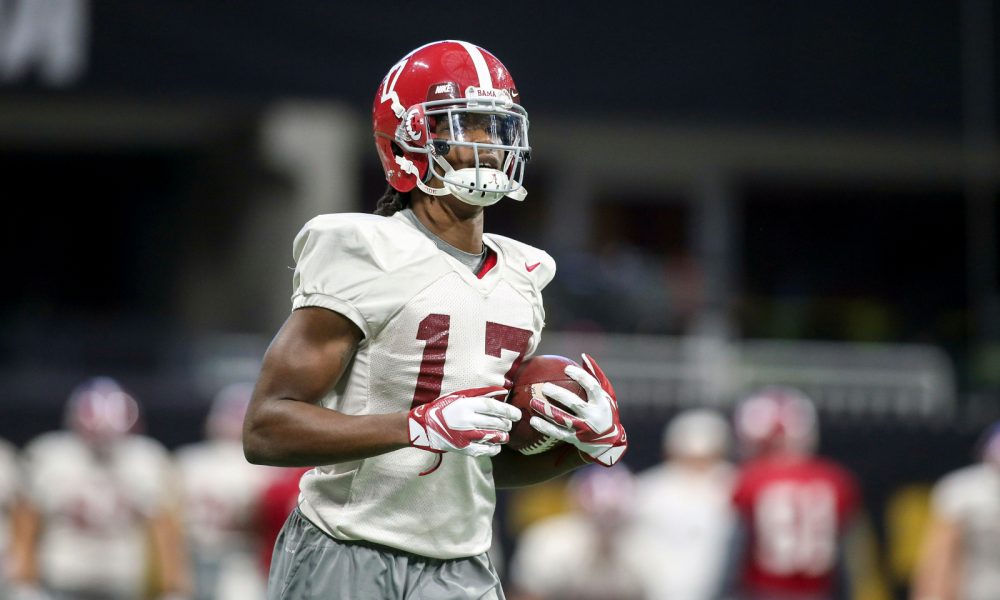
{"type": "Point", "coordinates": [592, 426]}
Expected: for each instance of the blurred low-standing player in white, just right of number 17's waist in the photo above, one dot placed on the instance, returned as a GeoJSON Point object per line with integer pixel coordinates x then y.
{"type": "Point", "coordinates": [591, 552]}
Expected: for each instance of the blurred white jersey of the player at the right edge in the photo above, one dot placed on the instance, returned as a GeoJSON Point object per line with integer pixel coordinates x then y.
{"type": "Point", "coordinates": [970, 498]}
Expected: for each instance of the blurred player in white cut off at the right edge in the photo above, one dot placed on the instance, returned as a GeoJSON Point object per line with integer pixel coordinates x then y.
{"type": "Point", "coordinates": [960, 557]}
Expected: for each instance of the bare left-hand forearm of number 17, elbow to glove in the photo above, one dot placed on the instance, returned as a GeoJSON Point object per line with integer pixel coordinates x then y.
{"type": "Point", "coordinates": [290, 433]}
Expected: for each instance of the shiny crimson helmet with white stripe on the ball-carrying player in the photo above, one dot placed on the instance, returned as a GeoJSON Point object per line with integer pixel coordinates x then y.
{"type": "Point", "coordinates": [452, 94]}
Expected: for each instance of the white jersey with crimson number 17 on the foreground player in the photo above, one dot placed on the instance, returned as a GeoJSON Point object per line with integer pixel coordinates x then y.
{"type": "Point", "coordinates": [430, 327]}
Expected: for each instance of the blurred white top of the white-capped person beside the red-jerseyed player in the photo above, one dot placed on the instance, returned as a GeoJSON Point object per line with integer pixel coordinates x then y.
{"type": "Point", "coordinates": [686, 518]}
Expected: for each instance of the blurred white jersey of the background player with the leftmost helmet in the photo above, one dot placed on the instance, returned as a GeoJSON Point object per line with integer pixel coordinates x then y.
{"type": "Point", "coordinates": [94, 511]}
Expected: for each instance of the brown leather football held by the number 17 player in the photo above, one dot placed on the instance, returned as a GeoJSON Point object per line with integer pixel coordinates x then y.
{"type": "Point", "coordinates": [528, 380]}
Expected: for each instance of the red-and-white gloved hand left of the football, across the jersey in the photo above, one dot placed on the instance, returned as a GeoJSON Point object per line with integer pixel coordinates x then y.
{"type": "Point", "coordinates": [475, 422]}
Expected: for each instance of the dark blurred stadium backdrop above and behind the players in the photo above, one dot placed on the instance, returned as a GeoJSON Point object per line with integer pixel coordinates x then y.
{"type": "Point", "coordinates": [736, 193]}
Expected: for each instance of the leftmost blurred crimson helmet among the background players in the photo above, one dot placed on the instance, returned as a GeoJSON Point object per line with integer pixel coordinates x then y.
{"type": "Point", "coordinates": [99, 410]}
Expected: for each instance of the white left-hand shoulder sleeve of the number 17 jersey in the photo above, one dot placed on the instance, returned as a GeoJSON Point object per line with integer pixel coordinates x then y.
{"type": "Point", "coordinates": [339, 258]}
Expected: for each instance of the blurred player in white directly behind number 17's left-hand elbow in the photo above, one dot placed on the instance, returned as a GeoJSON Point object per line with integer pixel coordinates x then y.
{"type": "Point", "coordinates": [219, 492]}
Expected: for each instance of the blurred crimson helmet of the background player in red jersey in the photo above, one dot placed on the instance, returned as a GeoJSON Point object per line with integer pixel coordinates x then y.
{"type": "Point", "coordinates": [777, 419]}
